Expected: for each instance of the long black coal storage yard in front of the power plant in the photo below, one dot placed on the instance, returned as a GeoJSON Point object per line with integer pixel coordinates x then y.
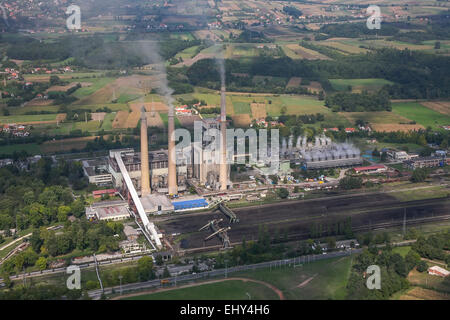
{"type": "Point", "coordinates": [297, 217]}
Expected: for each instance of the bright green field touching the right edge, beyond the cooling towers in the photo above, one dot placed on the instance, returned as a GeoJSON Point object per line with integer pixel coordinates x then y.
{"type": "Point", "coordinates": [422, 115]}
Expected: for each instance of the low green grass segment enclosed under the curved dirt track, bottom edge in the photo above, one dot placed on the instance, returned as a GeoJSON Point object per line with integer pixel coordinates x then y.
{"type": "Point", "coordinates": [227, 290]}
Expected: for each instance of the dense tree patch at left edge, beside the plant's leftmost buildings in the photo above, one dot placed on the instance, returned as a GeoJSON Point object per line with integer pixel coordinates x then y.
{"type": "Point", "coordinates": [40, 196]}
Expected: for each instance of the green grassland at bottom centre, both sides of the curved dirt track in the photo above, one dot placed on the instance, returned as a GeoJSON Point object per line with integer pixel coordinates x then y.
{"type": "Point", "coordinates": [326, 279]}
